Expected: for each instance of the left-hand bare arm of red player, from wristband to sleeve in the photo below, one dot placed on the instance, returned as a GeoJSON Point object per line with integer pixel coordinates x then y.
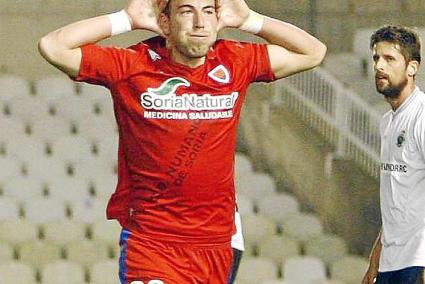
{"type": "Point", "coordinates": [61, 47]}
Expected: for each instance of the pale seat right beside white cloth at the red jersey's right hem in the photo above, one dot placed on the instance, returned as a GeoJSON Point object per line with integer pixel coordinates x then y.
{"type": "Point", "coordinates": [257, 229]}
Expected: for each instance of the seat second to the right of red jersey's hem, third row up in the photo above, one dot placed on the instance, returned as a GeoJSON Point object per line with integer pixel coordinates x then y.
{"type": "Point", "coordinates": [302, 226]}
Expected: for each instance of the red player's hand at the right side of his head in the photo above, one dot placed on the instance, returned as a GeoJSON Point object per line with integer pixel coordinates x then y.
{"type": "Point", "coordinates": [231, 13]}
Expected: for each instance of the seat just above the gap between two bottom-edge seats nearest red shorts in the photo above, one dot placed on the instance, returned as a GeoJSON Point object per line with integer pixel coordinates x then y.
{"type": "Point", "coordinates": [279, 249]}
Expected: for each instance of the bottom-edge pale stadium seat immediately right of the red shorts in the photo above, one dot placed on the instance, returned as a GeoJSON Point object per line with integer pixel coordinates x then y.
{"type": "Point", "coordinates": [253, 270]}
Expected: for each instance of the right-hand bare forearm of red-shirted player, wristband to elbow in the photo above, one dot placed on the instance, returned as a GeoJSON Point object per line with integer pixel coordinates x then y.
{"type": "Point", "coordinates": [293, 39]}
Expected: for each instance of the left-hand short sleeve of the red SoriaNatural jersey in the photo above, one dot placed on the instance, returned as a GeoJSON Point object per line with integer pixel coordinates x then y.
{"type": "Point", "coordinates": [104, 65]}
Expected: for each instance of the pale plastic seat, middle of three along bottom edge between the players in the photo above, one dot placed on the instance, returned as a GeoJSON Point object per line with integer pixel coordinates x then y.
{"type": "Point", "coordinates": [304, 269]}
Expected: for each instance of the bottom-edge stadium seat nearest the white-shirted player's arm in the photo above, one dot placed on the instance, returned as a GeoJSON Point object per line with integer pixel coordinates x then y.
{"type": "Point", "coordinates": [349, 269]}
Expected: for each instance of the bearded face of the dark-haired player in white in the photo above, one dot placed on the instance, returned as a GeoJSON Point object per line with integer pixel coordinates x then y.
{"type": "Point", "coordinates": [390, 66]}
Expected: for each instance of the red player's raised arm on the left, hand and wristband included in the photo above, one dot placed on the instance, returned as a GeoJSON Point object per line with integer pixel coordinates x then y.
{"type": "Point", "coordinates": [61, 47]}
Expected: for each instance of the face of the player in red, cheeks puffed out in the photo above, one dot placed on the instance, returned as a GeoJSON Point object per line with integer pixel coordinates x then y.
{"type": "Point", "coordinates": [192, 27]}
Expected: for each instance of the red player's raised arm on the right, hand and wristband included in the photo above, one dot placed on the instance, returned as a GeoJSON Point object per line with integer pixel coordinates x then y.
{"type": "Point", "coordinates": [291, 49]}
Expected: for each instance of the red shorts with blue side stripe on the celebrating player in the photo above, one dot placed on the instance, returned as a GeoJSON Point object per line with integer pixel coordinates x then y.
{"type": "Point", "coordinates": [148, 261]}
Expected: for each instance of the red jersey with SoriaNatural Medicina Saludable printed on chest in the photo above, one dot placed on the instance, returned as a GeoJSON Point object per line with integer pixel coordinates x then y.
{"type": "Point", "coordinates": [177, 134]}
